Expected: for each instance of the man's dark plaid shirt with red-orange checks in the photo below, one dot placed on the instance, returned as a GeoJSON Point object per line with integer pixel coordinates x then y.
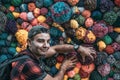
{"type": "Point", "coordinates": [27, 69]}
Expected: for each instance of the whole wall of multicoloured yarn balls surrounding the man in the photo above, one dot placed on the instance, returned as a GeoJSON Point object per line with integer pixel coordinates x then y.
{"type": "Point", "coordinates": [94, 23]}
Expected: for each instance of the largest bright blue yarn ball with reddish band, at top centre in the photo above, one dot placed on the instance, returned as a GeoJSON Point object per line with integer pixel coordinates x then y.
{"type": "Point", "coordinates": [61, 12]}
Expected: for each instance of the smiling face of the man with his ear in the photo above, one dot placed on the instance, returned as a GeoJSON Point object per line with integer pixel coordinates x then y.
{"type": "Point", "coordinates": [40, 44]}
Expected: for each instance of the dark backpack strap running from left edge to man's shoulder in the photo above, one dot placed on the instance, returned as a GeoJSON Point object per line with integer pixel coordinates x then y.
{"type": "Point", "coordinates": [16, 58]}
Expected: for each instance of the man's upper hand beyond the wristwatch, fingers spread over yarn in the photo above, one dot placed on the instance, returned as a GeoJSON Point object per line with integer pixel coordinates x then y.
{"type": "Point", "coordinates": [86, 51]}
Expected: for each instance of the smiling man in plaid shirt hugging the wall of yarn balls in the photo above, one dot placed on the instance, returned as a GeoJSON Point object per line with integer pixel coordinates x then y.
{"type": "Point", "coordinates": [39, 47]}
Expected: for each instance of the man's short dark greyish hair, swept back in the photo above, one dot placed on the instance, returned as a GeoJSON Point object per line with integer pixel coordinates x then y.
{"type": "Point", "coordinates": [37, 30]}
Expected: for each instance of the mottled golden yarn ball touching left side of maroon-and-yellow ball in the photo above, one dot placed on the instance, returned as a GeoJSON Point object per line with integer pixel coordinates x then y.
{"type": "Point", "coordinates": [80, 33]}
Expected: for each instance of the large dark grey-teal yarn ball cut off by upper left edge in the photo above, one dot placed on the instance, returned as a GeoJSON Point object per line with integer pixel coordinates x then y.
{"type": "Point", "coordinates": [3, 20]}
